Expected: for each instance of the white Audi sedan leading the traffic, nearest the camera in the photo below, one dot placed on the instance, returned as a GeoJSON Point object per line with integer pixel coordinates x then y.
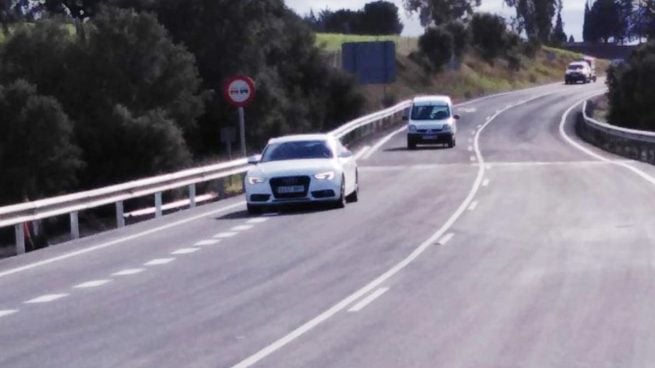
{"type": "Point", "coordinates": [301, 168]}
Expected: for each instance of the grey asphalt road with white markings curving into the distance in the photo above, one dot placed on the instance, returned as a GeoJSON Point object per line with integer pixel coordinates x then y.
{"type": "Point", "coordinates": [515, 249]}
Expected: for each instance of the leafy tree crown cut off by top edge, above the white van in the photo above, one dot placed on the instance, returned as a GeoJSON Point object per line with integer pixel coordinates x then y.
{"type": "Point", "coordinates": [441, 11]}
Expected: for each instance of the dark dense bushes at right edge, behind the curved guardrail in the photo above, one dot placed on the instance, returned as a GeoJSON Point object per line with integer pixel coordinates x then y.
{"type": "Point", "coordinates": [631, 92]}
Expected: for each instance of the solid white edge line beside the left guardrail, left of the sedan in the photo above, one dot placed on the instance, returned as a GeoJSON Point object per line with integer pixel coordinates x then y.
{"type": "Point", "coordinates": [117, 241]}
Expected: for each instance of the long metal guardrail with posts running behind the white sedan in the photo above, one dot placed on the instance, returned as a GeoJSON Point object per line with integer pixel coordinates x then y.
{"type": "Point", "coordinates": [20, 214]}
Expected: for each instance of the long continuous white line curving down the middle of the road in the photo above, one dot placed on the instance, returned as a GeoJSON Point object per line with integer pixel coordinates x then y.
{"type": "Point", "coordinates": [309, 325]}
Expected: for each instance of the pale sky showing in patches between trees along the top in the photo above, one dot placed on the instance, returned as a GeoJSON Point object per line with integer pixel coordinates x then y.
{"type": "Point", "coordinates": [572, 13]}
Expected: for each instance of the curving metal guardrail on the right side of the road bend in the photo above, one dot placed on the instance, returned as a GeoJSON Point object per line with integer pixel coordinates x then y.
{"type": "Point", "coordinates": [631, 143]}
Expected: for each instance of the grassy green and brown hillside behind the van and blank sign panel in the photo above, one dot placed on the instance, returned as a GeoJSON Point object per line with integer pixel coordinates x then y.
{"type": "Point", "coordinates": [474, 77]}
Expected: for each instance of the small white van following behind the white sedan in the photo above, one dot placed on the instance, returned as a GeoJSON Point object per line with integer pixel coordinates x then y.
{"type": "Point", "coordinates": [431, 121]}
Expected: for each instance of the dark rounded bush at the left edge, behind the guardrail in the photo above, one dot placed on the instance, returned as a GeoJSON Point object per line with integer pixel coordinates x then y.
{"type": "Point", "coordinates": [37, 153]}
